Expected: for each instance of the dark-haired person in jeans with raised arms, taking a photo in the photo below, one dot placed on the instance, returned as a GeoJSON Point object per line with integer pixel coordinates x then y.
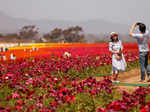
{"type": "Point", "coordinates": [142, 39]}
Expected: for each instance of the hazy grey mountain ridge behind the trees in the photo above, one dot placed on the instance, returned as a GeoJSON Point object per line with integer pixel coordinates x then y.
{"type": "Point", "coordinates": [97, 26]}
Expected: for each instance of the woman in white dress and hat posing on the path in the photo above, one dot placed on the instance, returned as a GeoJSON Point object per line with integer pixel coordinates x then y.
{"type": "Point", "coordinates": [118, 60]}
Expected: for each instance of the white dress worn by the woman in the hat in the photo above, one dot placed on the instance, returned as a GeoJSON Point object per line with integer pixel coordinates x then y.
{"type": "Point", "coordinates": [117, 64]}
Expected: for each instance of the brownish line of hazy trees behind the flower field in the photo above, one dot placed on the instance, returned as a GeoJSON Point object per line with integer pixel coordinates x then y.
{"type": "Point", "coordinates": [31, 33]}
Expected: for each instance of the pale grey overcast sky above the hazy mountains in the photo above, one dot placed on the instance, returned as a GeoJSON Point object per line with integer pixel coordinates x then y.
{"type": "Point", "coordinates": [120, 11]}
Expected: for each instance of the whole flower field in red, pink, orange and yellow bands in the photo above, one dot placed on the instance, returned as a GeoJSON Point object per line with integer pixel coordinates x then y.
{"type": "Point", "coordinates": [43, 80]}
